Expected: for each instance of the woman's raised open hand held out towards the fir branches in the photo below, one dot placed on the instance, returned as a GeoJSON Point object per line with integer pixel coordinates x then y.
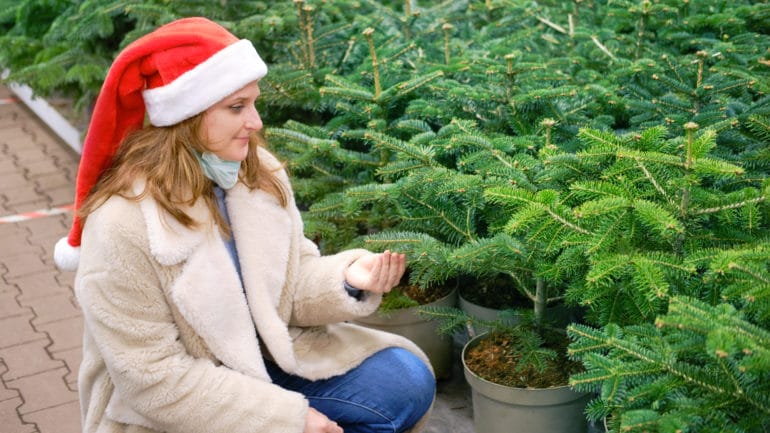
{"type": "Point", "coordinates": [376, 272]}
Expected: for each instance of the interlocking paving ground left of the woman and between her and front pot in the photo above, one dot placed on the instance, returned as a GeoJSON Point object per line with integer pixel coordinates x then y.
{"type": "Point", "coordinates": [40, 323]}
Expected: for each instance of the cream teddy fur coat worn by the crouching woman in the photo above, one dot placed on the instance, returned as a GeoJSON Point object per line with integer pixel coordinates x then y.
{"type": "Point", "coordinates": [173, 342]}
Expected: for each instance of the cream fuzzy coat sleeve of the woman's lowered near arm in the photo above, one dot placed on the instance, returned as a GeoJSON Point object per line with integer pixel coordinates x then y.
{"type": "Point", "coordinates": [127, 316]}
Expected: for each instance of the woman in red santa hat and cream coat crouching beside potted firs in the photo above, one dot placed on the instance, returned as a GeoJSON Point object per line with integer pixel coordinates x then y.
{"type": "Point", "coordinates": [205, 307]}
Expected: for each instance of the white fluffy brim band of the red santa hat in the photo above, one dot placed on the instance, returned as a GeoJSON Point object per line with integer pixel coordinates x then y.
{"type": "Point", "coordinates": [225, 72]}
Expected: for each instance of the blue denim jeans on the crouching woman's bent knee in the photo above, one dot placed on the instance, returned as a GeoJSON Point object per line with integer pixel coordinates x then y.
{"type": "Point", "coordinates": [389, 392]}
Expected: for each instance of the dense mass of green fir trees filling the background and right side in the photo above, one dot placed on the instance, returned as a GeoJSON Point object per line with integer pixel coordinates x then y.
{"type": "Point", "coordinates": [610, 154]}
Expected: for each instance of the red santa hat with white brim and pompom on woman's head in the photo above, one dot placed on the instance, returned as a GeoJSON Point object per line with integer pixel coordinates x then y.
{"type": "Point", "coordinates": [169, 75]}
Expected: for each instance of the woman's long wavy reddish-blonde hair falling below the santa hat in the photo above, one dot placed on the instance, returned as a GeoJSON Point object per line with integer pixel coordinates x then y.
{"type": "Point", "coordinates": [164, 158]}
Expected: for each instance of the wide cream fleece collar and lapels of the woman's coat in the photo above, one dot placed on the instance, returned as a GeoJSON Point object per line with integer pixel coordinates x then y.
{"type": "Point", "coordinates": [208, 292]}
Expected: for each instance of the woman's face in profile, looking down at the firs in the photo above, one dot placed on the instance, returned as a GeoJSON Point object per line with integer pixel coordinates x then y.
{"type": "Point", "coordinates": [228, 124]}
